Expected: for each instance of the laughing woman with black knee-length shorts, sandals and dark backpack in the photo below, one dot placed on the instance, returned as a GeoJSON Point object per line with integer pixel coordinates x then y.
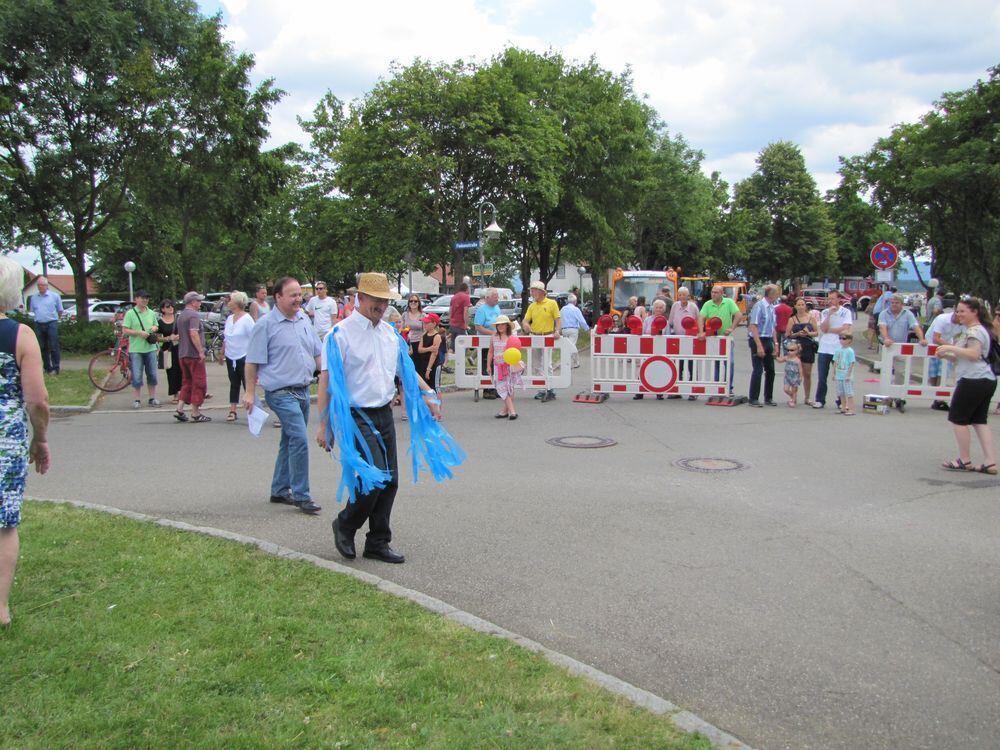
{"type": "Point", "coordinates": [970, 403]}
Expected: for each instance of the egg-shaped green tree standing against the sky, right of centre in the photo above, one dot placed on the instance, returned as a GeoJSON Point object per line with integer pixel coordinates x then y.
{"type": "Point", "coordinates": [781, 226]}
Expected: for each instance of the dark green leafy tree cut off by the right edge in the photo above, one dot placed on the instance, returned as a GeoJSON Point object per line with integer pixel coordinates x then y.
{"type": "Point", "coordinates": [939, 181]}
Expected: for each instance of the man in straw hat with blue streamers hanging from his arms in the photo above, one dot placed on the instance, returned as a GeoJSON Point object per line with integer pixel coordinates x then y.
{"type": "Point", "coordinates": [361, 358]}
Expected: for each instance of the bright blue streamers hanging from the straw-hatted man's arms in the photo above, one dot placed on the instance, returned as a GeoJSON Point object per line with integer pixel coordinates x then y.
{"type": "Point", "coordinates": [430, 444]}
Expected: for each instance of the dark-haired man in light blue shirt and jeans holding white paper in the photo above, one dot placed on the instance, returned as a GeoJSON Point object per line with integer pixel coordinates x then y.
{"type": "Point", "coordinates": [283, 354]}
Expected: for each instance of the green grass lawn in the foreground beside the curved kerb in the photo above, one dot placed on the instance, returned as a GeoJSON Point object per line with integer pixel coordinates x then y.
{"type": "Point", "coordinates": [127, 635]}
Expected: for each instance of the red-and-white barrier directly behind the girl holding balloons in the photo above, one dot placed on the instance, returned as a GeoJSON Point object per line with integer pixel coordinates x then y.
{"type": "Point", "coordinates": [540, 371]}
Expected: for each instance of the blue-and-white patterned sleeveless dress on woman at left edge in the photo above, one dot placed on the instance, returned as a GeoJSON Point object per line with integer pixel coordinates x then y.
{"type": "Point", "coordinates": [13, 429]}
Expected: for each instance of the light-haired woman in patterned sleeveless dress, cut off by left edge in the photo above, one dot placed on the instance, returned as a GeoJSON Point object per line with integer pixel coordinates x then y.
{"type": "Point", "coordinates": [22, 384]}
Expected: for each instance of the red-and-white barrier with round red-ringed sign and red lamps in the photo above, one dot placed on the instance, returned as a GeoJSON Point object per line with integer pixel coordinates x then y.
{"type": "Point", "coordinates": [674, 365]}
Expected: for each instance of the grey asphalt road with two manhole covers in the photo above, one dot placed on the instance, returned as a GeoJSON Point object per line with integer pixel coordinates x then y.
{"type": "Point", "coordinates": [841, 591]}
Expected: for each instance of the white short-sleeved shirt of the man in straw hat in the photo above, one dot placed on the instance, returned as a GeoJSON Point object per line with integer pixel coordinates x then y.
{"type": "Point", "coordinates": [371, 356]}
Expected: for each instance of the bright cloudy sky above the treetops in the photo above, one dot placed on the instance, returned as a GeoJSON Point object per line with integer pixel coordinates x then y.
{"type": "Point", "coordinates": [730, 75]}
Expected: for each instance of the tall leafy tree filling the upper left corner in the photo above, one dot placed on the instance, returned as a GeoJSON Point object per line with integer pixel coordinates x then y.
{"type": "Point", "coordinates": [109, 107]}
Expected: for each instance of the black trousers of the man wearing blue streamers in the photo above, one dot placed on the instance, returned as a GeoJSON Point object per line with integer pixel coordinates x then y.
{"type": "Point", "coordinates": [375, 507]}
